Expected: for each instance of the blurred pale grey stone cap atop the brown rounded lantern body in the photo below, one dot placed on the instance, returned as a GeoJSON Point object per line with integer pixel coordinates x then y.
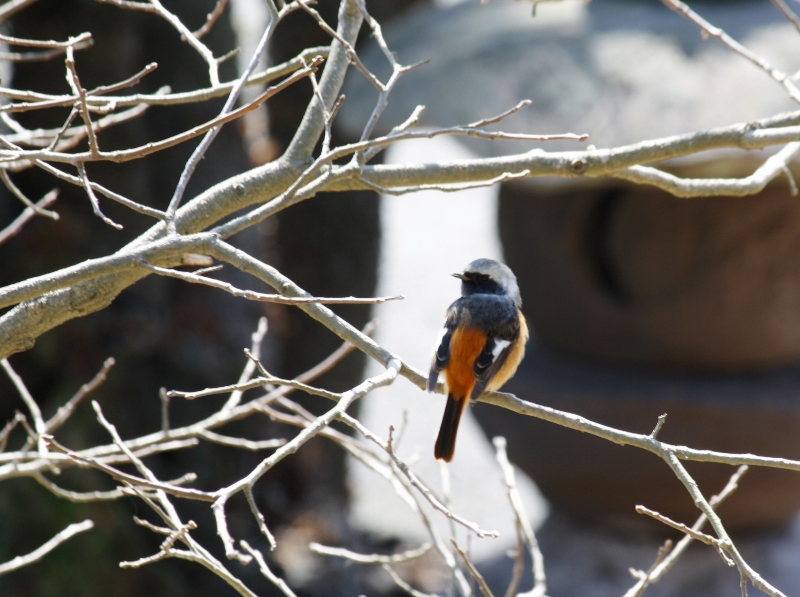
{"type": "Point", "coordinates": [621, 71]}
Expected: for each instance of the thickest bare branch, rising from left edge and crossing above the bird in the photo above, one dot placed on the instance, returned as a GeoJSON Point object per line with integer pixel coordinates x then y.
{"type": "Point", "coordinates": [265, 185]}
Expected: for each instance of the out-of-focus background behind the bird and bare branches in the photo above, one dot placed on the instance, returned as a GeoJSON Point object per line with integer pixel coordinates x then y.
{"type": "Point", "coordinates": [640, 303]}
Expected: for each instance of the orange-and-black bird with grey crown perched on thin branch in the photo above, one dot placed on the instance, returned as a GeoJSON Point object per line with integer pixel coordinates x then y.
{"type": "Point", "coordinates": [481, 344]}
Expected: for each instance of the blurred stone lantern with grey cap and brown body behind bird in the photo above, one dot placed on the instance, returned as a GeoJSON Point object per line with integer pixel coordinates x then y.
{"type": "Point", "coordinates": [641, 303]}
